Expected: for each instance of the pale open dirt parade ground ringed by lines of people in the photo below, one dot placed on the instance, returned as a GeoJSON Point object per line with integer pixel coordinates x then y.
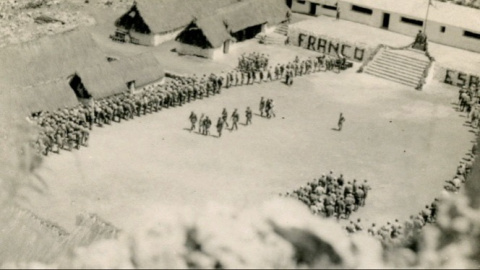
{"type": "Point", "coordinates": [405, 142]}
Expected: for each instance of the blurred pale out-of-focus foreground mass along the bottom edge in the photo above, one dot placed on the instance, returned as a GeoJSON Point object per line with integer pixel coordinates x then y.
{"type": "Point", "coordinates": [279, 234]}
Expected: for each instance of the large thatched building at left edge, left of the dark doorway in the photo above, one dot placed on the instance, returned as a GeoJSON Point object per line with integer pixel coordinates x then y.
{"type": "Point", "coordinates": [34, 75]}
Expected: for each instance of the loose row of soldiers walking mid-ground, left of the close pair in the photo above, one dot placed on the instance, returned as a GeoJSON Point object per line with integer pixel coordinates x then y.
{"type": "Point", "coordinates": [204, 122]}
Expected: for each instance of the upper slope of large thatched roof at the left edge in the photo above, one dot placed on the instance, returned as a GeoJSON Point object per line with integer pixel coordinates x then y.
{"type": "Point", "coordinates": [48, 58]}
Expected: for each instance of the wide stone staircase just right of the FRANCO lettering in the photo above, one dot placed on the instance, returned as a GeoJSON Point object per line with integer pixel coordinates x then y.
{"type": "Point", "coordinates": [402, 66]}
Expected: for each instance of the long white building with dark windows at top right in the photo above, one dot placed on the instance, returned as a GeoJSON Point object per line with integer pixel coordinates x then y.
{"type": "Point", "coordinates": [448, 24]}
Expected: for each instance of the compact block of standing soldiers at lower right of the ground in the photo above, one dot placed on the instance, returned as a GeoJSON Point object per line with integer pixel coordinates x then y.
{"type": "Point", "coordinates": [332, 196]}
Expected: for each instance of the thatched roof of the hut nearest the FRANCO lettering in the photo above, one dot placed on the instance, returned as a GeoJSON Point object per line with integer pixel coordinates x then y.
{"type": "Point", "coordinates": [216, 29]}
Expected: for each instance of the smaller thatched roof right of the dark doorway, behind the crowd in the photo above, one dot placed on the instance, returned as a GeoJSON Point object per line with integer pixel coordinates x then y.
{"type": "Point", "coordinates": [109, 79]}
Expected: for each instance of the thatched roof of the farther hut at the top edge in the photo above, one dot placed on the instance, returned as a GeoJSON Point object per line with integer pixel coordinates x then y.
{"type": "Point", "coordinates": [162, 16]}
